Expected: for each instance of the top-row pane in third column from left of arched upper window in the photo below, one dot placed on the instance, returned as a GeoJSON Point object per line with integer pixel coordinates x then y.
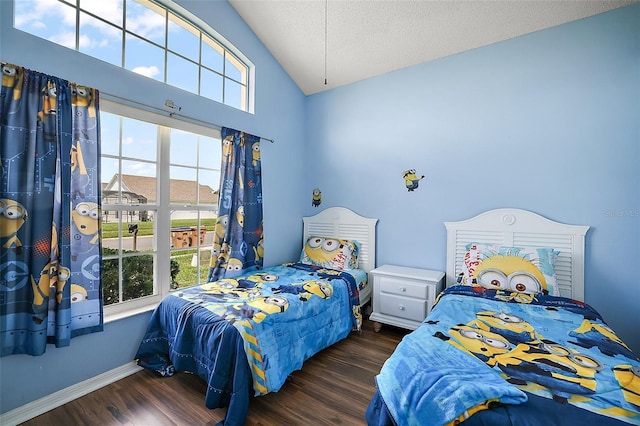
{"type": "Point", "coordinates": [146, 20]}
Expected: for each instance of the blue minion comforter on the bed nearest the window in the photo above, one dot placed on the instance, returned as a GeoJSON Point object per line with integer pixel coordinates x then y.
{"type": "Point", "coordinates": [245, 335]}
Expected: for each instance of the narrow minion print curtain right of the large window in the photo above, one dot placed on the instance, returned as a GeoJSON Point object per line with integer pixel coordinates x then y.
{"type": "Point", "coordinates": [237, 245]}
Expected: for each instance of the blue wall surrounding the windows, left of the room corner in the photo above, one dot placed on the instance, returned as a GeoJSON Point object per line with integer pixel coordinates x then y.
{"type": "Point", "coordinates": [279, 114]}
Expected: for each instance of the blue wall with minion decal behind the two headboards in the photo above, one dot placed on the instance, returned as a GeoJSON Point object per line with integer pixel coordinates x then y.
{"type": "Point", "coordinates": [548, 122]}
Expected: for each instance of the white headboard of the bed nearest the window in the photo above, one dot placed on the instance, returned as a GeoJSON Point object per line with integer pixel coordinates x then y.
{"type": "Point", "coordinates": [343, 223]}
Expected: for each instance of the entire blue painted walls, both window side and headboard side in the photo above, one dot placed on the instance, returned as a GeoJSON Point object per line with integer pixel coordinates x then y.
{"type": "Point", "coordinates": [546, 122]}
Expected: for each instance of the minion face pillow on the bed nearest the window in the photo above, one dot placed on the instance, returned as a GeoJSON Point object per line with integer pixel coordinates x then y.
{"type": "Point", "coordinates": [330, 253]}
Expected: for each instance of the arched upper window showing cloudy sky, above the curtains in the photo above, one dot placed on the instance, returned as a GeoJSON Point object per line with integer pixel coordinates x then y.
{"type": "Point", "coordinates": [158, 40]}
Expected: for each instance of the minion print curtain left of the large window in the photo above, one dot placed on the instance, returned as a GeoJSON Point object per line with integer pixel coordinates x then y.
{"type": "Point", "coordinates": [50, 257]}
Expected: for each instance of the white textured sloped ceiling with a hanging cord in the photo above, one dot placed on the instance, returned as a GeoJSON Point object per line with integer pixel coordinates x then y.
{"type": "Point", "coordinates": [366, 38]}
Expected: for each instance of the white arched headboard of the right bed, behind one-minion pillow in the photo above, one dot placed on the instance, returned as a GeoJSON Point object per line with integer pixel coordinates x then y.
{"type": "Point", "coordinates": [521, 228]}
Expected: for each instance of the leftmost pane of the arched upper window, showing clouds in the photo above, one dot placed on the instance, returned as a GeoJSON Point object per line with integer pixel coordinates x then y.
{"type": "Point", "coordinates": [36, 19]}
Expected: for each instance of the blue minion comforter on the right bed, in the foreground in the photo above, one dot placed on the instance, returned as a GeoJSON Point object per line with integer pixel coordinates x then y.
{"type": "Point", "coordinates": [488, 357]}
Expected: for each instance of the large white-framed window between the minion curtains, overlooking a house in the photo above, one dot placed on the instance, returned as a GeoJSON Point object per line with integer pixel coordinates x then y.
{"type": "Point", "coordinates": [160, 179]}
